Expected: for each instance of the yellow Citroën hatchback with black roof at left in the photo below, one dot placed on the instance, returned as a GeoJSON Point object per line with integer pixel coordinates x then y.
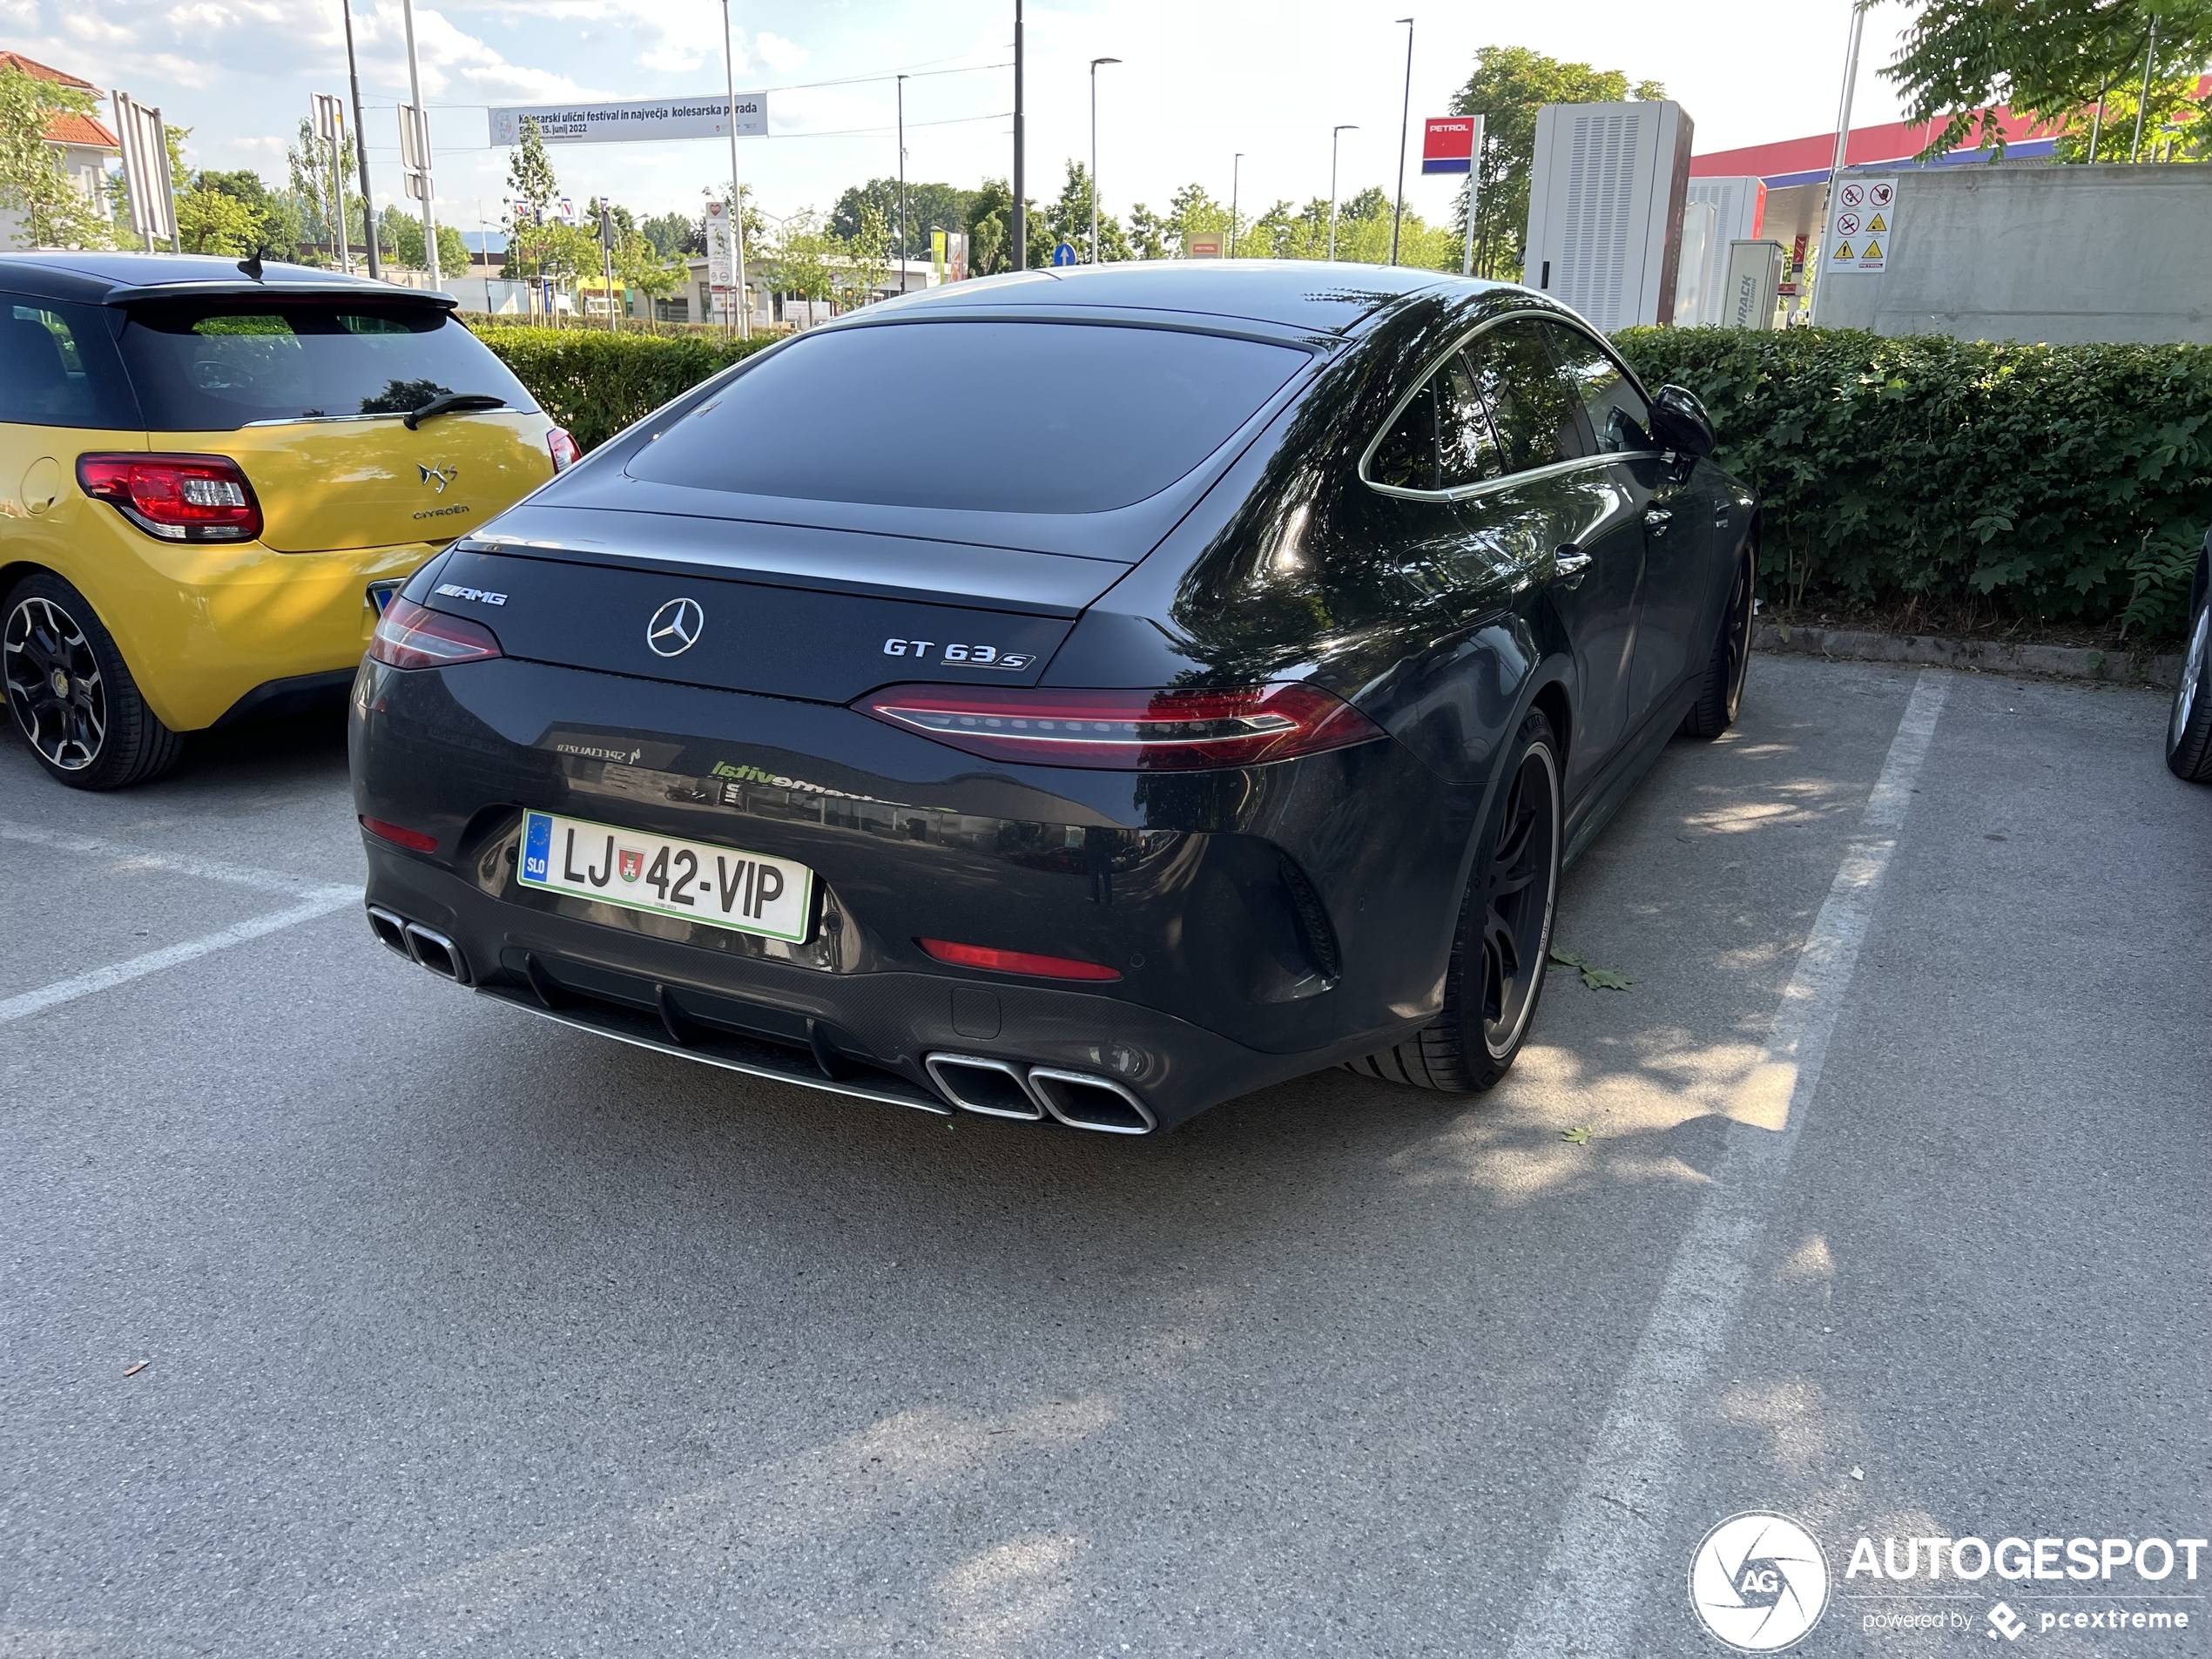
{"type": "Point", "coordinates": [211, 481]}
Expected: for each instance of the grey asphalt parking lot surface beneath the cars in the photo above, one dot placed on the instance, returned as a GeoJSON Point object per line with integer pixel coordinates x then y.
{"type": "Point", "coordinates": [470, 1333]}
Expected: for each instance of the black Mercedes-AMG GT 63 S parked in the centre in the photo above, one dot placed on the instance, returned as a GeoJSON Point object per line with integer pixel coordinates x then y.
{"type": "Point", "coordinates": [1078, 696]}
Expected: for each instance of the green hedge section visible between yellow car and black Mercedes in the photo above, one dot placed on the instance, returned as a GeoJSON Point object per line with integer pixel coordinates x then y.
{"type": "Point", "coordinates": [598, 384]}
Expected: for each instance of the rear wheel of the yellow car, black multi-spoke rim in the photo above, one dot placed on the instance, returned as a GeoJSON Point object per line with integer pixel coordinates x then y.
{"type": "Point", "coordinates": [72, 693]}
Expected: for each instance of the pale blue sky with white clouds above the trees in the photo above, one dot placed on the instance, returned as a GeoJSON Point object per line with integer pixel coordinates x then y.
{"type": "Point", "coordinates": [1198, 83]}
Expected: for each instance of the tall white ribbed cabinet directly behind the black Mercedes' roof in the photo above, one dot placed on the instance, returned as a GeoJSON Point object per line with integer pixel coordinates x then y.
{"type": "Point", "coordinates": [1605, 209]}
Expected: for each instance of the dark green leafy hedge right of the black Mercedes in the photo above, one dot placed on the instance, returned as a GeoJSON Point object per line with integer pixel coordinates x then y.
{"type": "Point", "coordinates": [2054, 483]}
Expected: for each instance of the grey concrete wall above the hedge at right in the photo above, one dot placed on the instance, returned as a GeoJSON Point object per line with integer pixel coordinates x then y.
{"type": "Point", "coordinates": [2041, 253]}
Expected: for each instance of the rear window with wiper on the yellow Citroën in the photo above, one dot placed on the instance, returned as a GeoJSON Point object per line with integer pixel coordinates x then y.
{"type": "Point", "coordinates": [205, 366]}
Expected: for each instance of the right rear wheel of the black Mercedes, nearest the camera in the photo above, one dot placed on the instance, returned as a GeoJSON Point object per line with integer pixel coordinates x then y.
{"type": "Point", "coordinates": [1503, 939]}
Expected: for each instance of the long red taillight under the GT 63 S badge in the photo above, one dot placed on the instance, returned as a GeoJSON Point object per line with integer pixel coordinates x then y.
{"type": "Point", "coordinates": [1127, 731]}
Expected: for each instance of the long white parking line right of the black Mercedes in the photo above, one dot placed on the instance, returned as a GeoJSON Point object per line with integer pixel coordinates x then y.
{"type": "Point", "coordinates": [1616, 1523]}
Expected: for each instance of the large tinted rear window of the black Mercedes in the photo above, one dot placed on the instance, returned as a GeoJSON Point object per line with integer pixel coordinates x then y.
{"type": "Point", "coordinates": [977, 417]}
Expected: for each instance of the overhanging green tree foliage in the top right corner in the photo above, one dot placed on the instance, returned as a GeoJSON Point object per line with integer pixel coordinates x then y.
{"type": "Point", "coordinates": [2047, 59]}
